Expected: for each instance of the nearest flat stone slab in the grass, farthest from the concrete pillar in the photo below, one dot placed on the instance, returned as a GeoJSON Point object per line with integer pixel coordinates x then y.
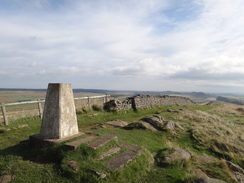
{"type": "Point", "coordinates": [121, 160]}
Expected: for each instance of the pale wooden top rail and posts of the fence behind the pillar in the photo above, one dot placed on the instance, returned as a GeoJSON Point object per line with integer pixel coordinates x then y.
{"type": "Point", "coordinates": [39, 103]}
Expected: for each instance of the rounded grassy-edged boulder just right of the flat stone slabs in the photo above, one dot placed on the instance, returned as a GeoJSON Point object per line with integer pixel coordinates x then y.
{"type": "Point", "coordinates": [171, 155]}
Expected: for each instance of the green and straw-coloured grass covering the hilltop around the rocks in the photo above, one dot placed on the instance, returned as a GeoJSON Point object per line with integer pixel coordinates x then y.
{"type": "Point", "coordinates": [48, 164]}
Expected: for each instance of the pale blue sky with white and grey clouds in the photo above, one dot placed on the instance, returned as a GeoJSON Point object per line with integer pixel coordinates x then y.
{"type": "Point", "coordinates": [150, 45]}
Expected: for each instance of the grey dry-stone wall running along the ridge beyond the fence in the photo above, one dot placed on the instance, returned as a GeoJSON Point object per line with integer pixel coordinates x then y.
{"type": "Point", "coordinates": [146, 101]}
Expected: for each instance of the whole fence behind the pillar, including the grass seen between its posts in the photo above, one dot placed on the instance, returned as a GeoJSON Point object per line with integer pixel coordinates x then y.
{"type": "Point", "coordinates": [13, 111]}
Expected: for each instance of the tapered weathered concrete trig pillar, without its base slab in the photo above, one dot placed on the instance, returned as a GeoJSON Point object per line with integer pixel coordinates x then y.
{"type": "Point", "coordinates": [59, 116]}
